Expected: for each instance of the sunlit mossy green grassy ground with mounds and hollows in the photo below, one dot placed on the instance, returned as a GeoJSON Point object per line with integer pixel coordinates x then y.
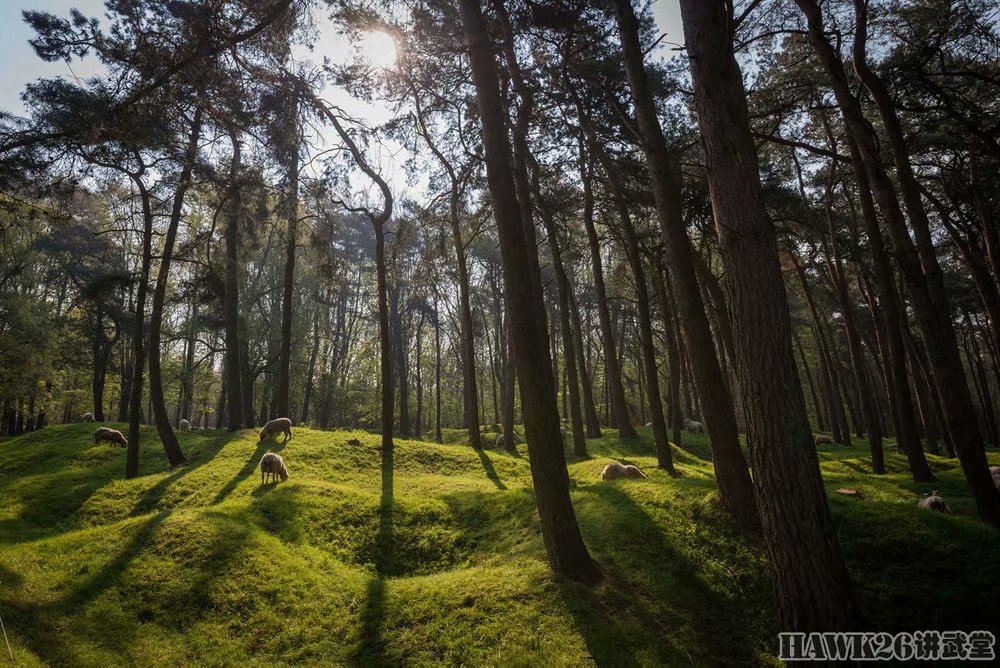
{"type": "Point", "coordinates": [433, 557]}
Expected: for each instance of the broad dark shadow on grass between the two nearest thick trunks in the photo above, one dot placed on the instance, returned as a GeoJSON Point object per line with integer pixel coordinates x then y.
{"type": "Point", "coordinates": [654, 605]}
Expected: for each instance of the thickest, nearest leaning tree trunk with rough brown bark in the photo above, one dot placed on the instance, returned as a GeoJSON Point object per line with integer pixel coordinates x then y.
{"type": "Point", "coordinates": [812, 583]}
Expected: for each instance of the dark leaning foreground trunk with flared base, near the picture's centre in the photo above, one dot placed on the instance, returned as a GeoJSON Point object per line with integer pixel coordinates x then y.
{"type": "Point", "coordinates": [564, 545]}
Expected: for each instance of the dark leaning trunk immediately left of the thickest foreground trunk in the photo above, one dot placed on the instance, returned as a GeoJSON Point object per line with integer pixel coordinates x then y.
{"type": "Point", "coordinates": [730, 466]}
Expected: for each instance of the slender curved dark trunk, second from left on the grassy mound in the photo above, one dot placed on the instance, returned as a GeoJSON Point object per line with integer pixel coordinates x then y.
{"type": "Point", "coordinates": [170, 445]}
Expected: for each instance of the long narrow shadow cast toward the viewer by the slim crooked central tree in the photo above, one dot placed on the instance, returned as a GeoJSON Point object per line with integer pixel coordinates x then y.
{"type": "Point", "coordinates": [371, 649]}
